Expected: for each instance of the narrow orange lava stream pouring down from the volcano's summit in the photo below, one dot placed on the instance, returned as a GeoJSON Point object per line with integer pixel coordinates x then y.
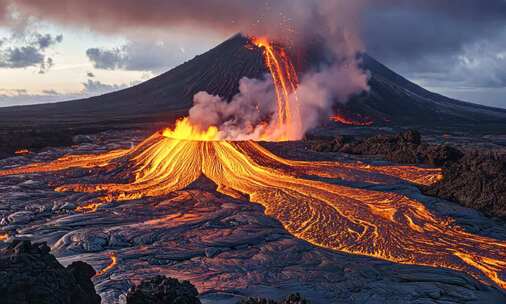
{"type": "Point", "coordinates": [285, 81]}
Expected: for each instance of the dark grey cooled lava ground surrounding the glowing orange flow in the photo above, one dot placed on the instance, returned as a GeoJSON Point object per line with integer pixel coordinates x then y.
{"type": "Point", "coordinates": [228, 248]}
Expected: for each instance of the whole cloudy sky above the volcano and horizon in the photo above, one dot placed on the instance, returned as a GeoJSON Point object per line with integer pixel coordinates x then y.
{"type": "Point", "coordinates": [59, 50]}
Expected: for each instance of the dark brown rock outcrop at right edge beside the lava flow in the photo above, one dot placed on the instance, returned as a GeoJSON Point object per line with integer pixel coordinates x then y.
{"type": "Point", "coordinates": [476, 181]}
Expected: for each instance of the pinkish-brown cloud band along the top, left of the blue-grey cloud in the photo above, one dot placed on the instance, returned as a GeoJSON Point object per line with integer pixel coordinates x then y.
{"type": "Point", "coordinates": [280, 19]}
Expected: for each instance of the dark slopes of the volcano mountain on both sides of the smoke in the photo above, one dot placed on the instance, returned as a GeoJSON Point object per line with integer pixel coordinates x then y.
{"type": "Point", "coordinates": [391, 100]}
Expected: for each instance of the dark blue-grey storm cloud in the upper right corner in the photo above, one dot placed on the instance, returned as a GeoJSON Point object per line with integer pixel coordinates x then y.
{"type": "Point", "coordinates": [407, 29]}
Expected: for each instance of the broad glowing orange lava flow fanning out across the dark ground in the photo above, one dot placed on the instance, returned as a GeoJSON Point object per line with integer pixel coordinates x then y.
{"type": "Point", "coordinates": [379, 224]}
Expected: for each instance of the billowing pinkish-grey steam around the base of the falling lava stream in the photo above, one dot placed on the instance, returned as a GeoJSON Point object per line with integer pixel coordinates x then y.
{"type": "Point", "coordinates": [250, 115]}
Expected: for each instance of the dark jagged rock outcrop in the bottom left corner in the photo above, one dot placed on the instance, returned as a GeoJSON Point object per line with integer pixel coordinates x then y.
{"type": "Point", "coordinates": [29, 274]}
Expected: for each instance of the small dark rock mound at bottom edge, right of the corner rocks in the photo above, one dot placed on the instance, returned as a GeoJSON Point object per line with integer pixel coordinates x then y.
{"type": "Point", "coordinates": [162, 290]}
